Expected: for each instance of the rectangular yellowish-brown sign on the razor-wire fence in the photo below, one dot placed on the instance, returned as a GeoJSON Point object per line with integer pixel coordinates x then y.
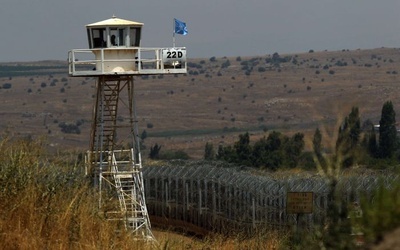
{"type": "Point", "coordinates": [299, 202]}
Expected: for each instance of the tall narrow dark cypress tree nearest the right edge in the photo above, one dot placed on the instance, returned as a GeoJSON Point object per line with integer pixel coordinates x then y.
{"type": "Point", "coordinates": [387, 131]}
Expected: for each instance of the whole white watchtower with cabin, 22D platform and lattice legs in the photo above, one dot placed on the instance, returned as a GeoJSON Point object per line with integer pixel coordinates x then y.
{"type": "Point", "coordinates": [114, 57]}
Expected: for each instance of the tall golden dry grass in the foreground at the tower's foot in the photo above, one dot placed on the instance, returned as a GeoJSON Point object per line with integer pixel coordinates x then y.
{"type": "Point", "coordinates": [46, 203]}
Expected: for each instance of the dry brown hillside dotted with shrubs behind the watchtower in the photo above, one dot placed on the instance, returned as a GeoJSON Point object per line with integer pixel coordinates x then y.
{"type": "Point", "coordinates": [216, 100]}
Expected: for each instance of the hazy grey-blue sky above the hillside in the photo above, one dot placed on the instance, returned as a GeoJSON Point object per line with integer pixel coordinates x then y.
{"type": "Point", "coordinates": [33, 30]}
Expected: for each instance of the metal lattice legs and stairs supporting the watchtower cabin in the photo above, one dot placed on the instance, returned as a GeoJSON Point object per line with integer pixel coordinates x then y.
{"type": "Point", "coordinates": [117, 171]}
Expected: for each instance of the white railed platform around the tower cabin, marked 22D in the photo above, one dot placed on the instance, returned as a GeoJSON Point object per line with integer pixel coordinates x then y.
{"type": "Point", "coordinates": [135, 61]}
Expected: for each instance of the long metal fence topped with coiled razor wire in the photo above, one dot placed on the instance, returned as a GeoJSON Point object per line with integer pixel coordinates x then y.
{"type": "Point", "coordinates": [201, 197]}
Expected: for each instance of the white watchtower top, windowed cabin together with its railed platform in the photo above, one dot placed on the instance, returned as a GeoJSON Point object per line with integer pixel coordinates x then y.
{"type": "Point", "coordinates": [115, 49]}
